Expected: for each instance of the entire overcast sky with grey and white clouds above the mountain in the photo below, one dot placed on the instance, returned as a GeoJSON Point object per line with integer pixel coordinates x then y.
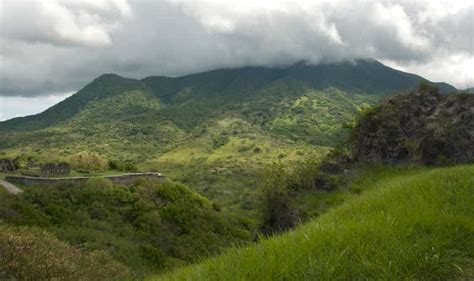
{"type": "Point", "coordinates": [50, 49]}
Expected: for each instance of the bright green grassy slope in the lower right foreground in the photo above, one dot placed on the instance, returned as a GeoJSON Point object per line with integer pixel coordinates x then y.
{"type": "Point", "coordinates": [407, 225]}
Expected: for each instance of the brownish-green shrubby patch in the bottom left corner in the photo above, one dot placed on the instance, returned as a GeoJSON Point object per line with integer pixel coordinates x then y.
{"type": "Point", "coordinates": [31, 254]}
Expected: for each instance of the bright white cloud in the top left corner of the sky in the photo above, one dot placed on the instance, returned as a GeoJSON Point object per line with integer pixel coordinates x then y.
{"type": "Point", "coordinates": [64, 23]}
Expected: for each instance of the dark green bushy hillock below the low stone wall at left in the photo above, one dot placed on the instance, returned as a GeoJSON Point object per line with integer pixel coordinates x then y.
{"type": "Point", "coordinates": [147, 227]}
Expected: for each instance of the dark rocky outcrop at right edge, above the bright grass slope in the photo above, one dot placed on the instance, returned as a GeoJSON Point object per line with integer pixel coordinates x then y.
{"type": "Point", "coordinates": [427, 128]}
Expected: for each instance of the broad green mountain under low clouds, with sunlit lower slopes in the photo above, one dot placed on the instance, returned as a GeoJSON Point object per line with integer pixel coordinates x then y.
{"type": "Point", "coordinates": [210, 130]}
